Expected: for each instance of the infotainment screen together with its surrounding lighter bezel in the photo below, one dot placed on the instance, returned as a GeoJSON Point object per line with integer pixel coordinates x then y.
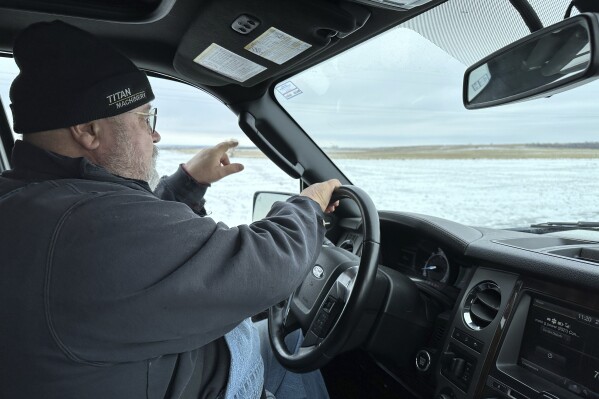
{"type": "Point", "coordinates": [551, 350]}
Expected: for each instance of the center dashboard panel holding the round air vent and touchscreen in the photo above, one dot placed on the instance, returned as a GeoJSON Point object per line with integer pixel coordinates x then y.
{"type": "Point", "coordinates": [519, 338]}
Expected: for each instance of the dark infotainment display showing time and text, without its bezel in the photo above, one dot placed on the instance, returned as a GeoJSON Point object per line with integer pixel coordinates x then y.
{"type": "Point", "coordinates": [562, 345]}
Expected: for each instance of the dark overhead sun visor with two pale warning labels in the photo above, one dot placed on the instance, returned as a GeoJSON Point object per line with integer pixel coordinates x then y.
{"type": "Point", "coordinates": [225, 46]}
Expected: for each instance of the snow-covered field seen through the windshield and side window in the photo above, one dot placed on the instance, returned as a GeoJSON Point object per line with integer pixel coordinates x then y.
{"type": "Point", "coordinates": [492, 193]}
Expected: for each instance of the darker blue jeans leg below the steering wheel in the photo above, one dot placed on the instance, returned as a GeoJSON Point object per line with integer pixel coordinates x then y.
{"type": "Point", "coordinates": [284, 384]}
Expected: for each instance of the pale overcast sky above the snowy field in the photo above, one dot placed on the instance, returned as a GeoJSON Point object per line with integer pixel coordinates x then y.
{"type": "Point", "coordinates": [396, 90]}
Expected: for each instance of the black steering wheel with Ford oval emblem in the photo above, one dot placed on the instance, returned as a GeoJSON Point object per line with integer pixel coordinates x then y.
{"type": "Point", "coordinates": [328, 304]}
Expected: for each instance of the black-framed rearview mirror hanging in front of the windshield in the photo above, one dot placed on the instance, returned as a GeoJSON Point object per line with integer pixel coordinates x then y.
{"type": "Point", "coordinates": [553, 59]}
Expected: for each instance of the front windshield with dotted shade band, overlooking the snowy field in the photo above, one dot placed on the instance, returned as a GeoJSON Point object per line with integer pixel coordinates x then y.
{"type": "Point", "coordinates": [389, 113]}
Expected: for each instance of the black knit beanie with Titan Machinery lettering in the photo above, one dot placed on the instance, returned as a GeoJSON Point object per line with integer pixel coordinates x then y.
{"type": "Point", "coordinates": [67, 77]}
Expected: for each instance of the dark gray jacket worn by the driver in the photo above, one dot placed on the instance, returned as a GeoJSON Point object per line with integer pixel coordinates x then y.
{"type": "Point", "coordinates": [107, 291]}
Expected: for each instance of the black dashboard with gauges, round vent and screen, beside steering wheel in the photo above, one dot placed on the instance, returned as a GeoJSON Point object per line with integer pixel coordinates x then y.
{"type": "Point", "coordinates": [517, 313]}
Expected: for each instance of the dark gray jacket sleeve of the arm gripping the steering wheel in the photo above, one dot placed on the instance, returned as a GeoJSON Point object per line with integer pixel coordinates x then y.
{"type": "Point", "coordinates": [134, 277]}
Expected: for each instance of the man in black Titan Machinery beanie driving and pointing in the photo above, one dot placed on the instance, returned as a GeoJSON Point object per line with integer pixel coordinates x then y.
{"type": "Point", "coordinates": [107, 291]}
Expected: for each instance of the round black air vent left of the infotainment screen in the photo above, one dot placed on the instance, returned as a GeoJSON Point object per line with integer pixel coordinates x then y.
{"type": "Point", "coordinates": [482, 305]}
